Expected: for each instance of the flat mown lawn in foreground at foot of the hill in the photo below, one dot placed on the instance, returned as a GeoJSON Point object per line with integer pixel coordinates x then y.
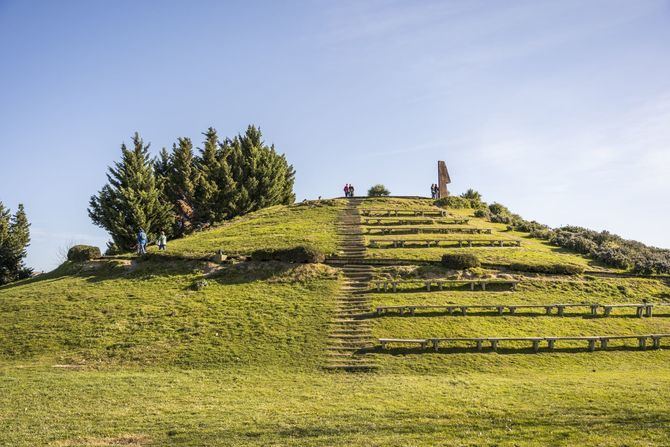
{"type": "Point", "coordinates": [561, 401]}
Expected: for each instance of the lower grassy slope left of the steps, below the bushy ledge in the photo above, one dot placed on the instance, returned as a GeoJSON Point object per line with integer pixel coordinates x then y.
{"type": "Point", "coordinates": [249, 314]}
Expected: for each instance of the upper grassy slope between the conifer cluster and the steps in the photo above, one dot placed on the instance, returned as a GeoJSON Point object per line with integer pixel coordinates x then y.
{"type": "Point", "coordinates": [311, 224]}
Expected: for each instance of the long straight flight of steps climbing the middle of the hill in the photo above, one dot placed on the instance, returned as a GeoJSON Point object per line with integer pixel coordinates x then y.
{"type": "Point", "coordinates": [349, 334]}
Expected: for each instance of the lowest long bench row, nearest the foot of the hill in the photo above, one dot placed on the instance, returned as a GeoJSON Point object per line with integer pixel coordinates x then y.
{"type": "Point", "coordinates": [535, 342]}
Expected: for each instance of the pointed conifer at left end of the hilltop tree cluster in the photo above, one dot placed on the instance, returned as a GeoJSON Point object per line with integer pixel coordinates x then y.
{"type": "Point", "coordinates": [132, 199]}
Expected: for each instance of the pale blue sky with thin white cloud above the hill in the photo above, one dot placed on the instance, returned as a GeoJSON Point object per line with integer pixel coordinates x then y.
{"type": "Point", "coordinates": [558, 109]}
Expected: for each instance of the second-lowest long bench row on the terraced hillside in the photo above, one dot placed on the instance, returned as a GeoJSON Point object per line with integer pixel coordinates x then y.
{"type": "Point", "coordinates": [643, 309]}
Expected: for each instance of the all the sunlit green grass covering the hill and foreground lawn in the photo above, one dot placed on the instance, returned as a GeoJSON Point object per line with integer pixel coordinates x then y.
{"type": "Point", "coordinates": [143, 352]}
